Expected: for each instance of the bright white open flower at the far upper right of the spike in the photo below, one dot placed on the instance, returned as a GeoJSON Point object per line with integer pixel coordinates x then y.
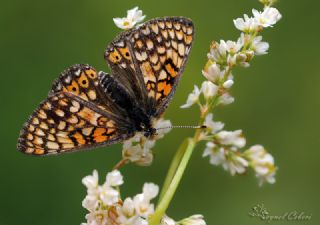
{"type": "Point", "coordinates": [268, 17]}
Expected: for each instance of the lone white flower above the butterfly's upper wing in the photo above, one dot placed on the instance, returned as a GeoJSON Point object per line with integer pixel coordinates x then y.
{"type": "Point", "coordinates": [134, 16]}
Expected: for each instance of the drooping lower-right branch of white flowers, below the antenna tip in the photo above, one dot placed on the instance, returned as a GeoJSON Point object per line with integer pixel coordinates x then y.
{"type": "Point", "coordinates": [224, 148]}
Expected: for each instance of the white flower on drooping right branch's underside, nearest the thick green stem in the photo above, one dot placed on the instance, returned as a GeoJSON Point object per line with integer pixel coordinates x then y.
{"type": "Point", "coordinates": [216, 154]}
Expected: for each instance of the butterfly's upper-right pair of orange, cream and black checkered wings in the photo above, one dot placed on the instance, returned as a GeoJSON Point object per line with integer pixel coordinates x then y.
{"type": "Point", "coordinates": [158, 51]}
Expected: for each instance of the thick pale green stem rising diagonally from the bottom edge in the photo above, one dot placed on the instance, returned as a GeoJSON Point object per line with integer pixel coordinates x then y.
{"type": "Point", "coordinates": [167, 197]}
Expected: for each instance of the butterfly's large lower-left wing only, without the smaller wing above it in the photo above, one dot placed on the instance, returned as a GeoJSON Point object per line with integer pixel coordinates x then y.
{"type": "Point", "coordinates": [65, 123]}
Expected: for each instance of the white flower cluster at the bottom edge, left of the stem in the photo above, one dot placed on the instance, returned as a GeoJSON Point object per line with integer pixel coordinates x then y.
{"type": "Point", "coordinates": [106, 207]}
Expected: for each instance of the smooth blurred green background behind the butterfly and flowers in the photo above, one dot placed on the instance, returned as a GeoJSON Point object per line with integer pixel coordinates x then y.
{"type": "Point", "coordinates": [277, 104]}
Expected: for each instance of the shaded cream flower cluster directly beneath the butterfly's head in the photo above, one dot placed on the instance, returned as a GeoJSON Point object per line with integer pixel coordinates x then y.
{"type": "Point", "coordinates": [138, 148]}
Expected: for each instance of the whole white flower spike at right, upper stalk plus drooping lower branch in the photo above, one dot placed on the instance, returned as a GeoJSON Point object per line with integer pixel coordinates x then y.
{"type": "Point", "coordinates": [225, 147]}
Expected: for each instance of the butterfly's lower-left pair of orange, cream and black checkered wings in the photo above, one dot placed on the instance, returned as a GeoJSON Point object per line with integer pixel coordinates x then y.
{"type": "Point", "coordinates": [76, 115]}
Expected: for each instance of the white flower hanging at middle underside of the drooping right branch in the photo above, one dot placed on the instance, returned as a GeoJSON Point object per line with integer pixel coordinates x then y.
{"type": "Point", "coordinates": [235, 164]}
